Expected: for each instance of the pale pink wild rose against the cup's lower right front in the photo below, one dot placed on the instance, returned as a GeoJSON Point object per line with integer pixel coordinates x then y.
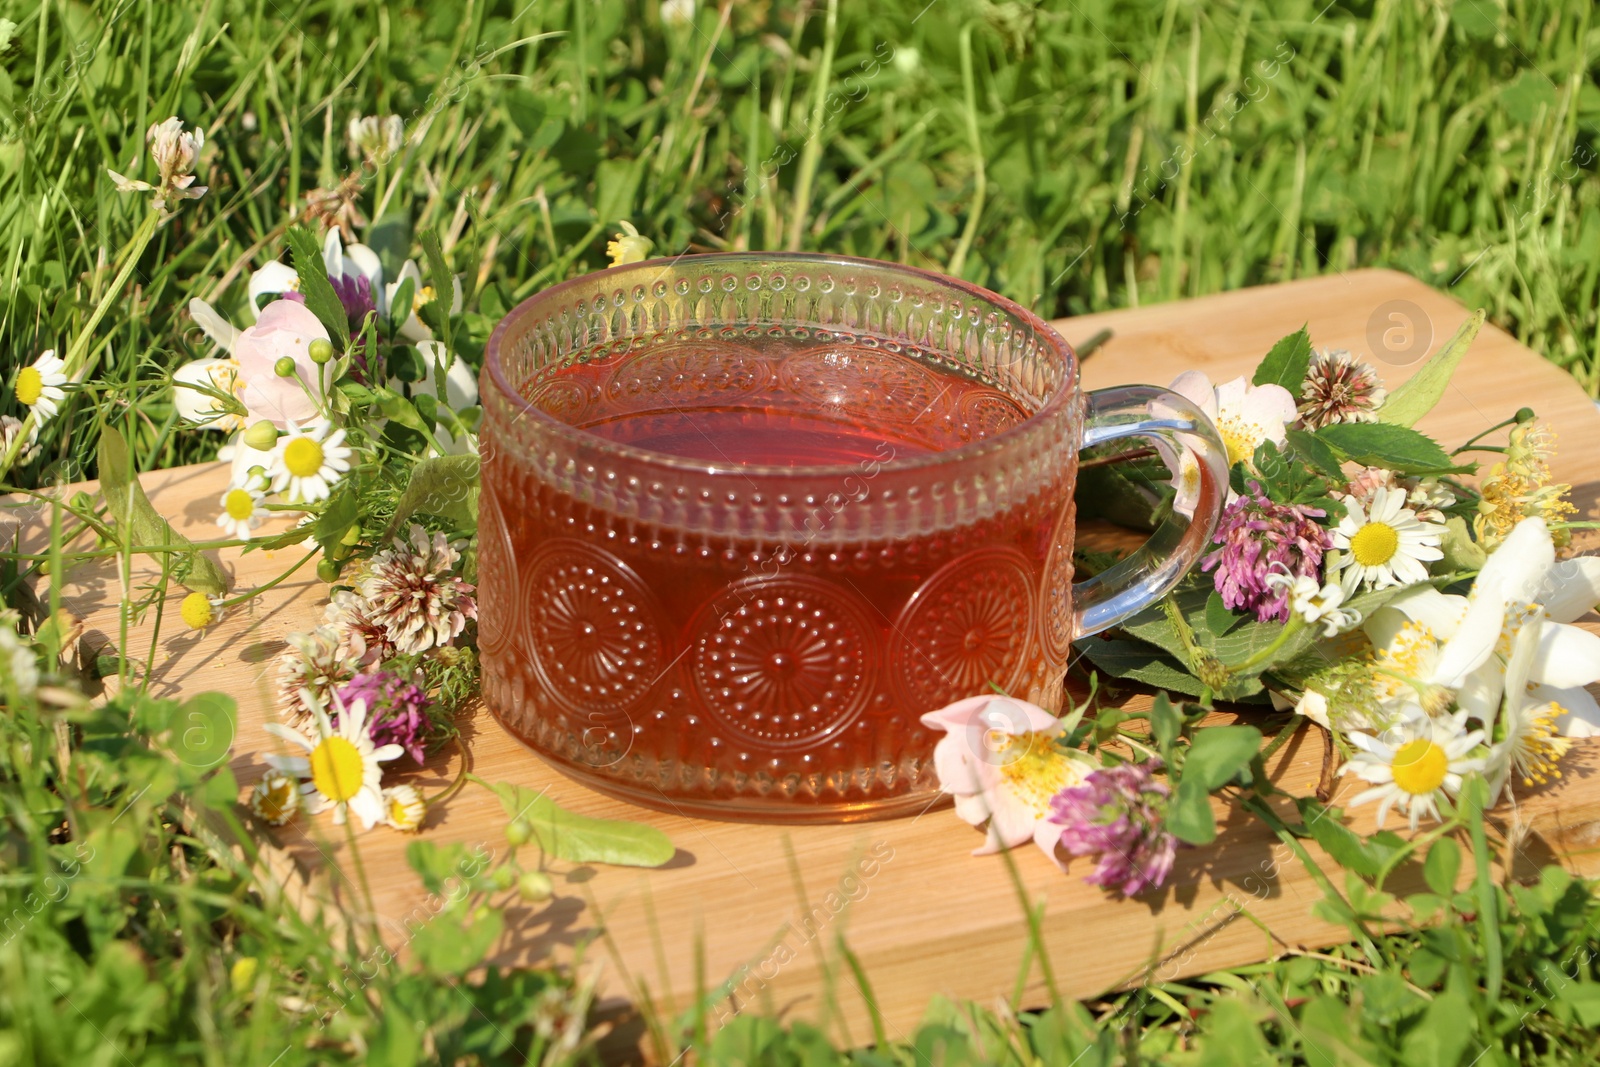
{"type": "Point", "coordinates": [1001, 762]}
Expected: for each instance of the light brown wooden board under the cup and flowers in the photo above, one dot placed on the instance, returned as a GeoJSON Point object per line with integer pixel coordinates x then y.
{"type": "Point", "coordinates": [762, 909]}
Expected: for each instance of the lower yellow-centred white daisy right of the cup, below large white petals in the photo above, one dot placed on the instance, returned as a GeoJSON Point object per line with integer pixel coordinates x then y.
{"type": "Point", "coordinates": [1412, 765]}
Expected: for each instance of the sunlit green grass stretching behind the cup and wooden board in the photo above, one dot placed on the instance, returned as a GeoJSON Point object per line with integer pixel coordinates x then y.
{"type": "Point", "coordinates": [1076, 156]}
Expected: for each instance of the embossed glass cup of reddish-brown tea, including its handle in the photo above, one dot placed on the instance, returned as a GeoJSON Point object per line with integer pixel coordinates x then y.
{"type": "Point", "coordinates": [748, 518]}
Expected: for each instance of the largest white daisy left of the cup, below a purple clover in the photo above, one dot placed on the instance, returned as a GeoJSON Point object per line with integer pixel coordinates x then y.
{"type": "Point", "coordinates": [342, 765]}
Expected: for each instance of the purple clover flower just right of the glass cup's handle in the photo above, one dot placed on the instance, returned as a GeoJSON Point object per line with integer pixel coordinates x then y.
{"type": "Point", "coordinates": [1262, 538]}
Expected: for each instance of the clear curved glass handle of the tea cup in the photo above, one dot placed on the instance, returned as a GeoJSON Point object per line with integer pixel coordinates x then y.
{"type": "Point", "coordinates": [1191, 446]}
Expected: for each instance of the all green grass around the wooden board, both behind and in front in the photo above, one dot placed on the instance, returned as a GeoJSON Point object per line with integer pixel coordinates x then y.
{"type": "Point", "coordinates": [1074, 156]}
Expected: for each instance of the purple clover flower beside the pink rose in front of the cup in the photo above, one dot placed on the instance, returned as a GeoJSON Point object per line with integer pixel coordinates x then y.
{"type": "Point", "coordinates": [1119, 813]}
